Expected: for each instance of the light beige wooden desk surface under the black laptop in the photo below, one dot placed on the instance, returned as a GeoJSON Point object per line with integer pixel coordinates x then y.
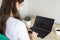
{"type": "Point", "coordinates": [52, 35]}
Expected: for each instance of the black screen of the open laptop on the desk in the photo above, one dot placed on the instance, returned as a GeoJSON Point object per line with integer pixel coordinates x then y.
{"type": "Point", "coordinates": [44, 23]}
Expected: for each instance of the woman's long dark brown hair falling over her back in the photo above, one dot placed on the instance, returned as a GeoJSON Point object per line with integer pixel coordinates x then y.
{"type": "Point", "coordinates": [7, 7]}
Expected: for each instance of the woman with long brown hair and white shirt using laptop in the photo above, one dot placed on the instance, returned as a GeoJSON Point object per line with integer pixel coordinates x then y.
{"type": "Point", "coordinates": [10, 21]}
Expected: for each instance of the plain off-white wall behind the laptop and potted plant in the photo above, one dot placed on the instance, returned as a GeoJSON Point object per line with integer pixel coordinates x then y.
{"type": "Point", "coordinates": [46, 8]}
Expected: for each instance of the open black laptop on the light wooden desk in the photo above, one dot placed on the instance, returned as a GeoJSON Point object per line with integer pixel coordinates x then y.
{"type": "Point", "coordinates": [42, 26]}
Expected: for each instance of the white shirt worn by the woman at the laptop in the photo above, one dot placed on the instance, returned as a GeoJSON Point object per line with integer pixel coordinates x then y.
{"type": "Point", "coordinates": [16, 29]}
